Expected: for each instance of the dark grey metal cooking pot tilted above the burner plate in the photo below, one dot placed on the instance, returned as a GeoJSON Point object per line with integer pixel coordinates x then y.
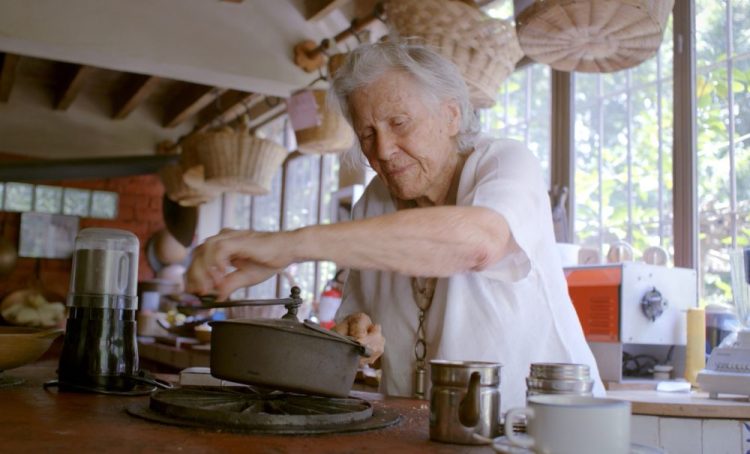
{"type": "Point", "coordinates": [285, 355]}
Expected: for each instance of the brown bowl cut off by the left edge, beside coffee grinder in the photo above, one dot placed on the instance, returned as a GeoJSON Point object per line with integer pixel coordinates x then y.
{"type": "Point", "coordinates": [19, 345]}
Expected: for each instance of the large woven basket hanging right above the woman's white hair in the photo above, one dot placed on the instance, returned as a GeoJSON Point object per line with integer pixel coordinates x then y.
{"type": "Point", "coordinates": [484, 49]}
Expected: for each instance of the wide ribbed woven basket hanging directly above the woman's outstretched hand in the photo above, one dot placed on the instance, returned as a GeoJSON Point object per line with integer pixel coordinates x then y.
{"type": "Point", "coordinates": [233, 160]}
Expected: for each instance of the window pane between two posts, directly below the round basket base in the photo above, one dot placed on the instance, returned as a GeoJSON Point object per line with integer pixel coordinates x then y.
{"type": "Point", "coordinates": [623, 155]}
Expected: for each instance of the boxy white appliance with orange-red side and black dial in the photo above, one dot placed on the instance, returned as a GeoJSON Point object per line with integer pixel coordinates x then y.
{"type": "Point", "coordinates": [632, 310]}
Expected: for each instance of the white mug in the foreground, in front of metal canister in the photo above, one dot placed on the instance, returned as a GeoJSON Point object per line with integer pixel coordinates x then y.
{"type": "Point", "coordinates": [570, 424]}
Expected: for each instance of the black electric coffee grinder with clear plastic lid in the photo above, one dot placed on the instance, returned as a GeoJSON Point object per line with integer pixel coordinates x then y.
{"type": "Point", "coordinates": [100, 353]}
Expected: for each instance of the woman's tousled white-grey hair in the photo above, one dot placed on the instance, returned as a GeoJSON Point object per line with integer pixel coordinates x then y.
{"type": "Point", "coordinates": [440, 79]}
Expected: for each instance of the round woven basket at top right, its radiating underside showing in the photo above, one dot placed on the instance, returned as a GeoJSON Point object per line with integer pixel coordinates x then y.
{"type": "Point", "coordinates": [595, 36]}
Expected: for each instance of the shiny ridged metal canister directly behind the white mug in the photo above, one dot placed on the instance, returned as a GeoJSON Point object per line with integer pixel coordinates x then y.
{"type": "Point", "coordinates": [559, 378]}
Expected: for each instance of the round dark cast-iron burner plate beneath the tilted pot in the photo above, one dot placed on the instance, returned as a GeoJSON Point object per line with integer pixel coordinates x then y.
{"type": "Point", "coordinates": [248, 410]}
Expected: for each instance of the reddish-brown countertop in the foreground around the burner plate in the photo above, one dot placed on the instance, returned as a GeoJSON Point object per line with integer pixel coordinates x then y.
{"type": "Point", "coordinates": [35, 420]}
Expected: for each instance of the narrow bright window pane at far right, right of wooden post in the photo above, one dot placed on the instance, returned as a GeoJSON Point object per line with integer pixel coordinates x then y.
{"type": "Point", "coordinates": [723, 136]}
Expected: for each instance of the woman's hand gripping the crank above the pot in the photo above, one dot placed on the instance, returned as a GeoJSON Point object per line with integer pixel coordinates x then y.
{"type": "Point", "coordinates": [256, 256]}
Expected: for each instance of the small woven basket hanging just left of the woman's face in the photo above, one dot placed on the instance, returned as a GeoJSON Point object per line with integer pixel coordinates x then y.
{"type": "Point", "coordinates": [332, 135]}
